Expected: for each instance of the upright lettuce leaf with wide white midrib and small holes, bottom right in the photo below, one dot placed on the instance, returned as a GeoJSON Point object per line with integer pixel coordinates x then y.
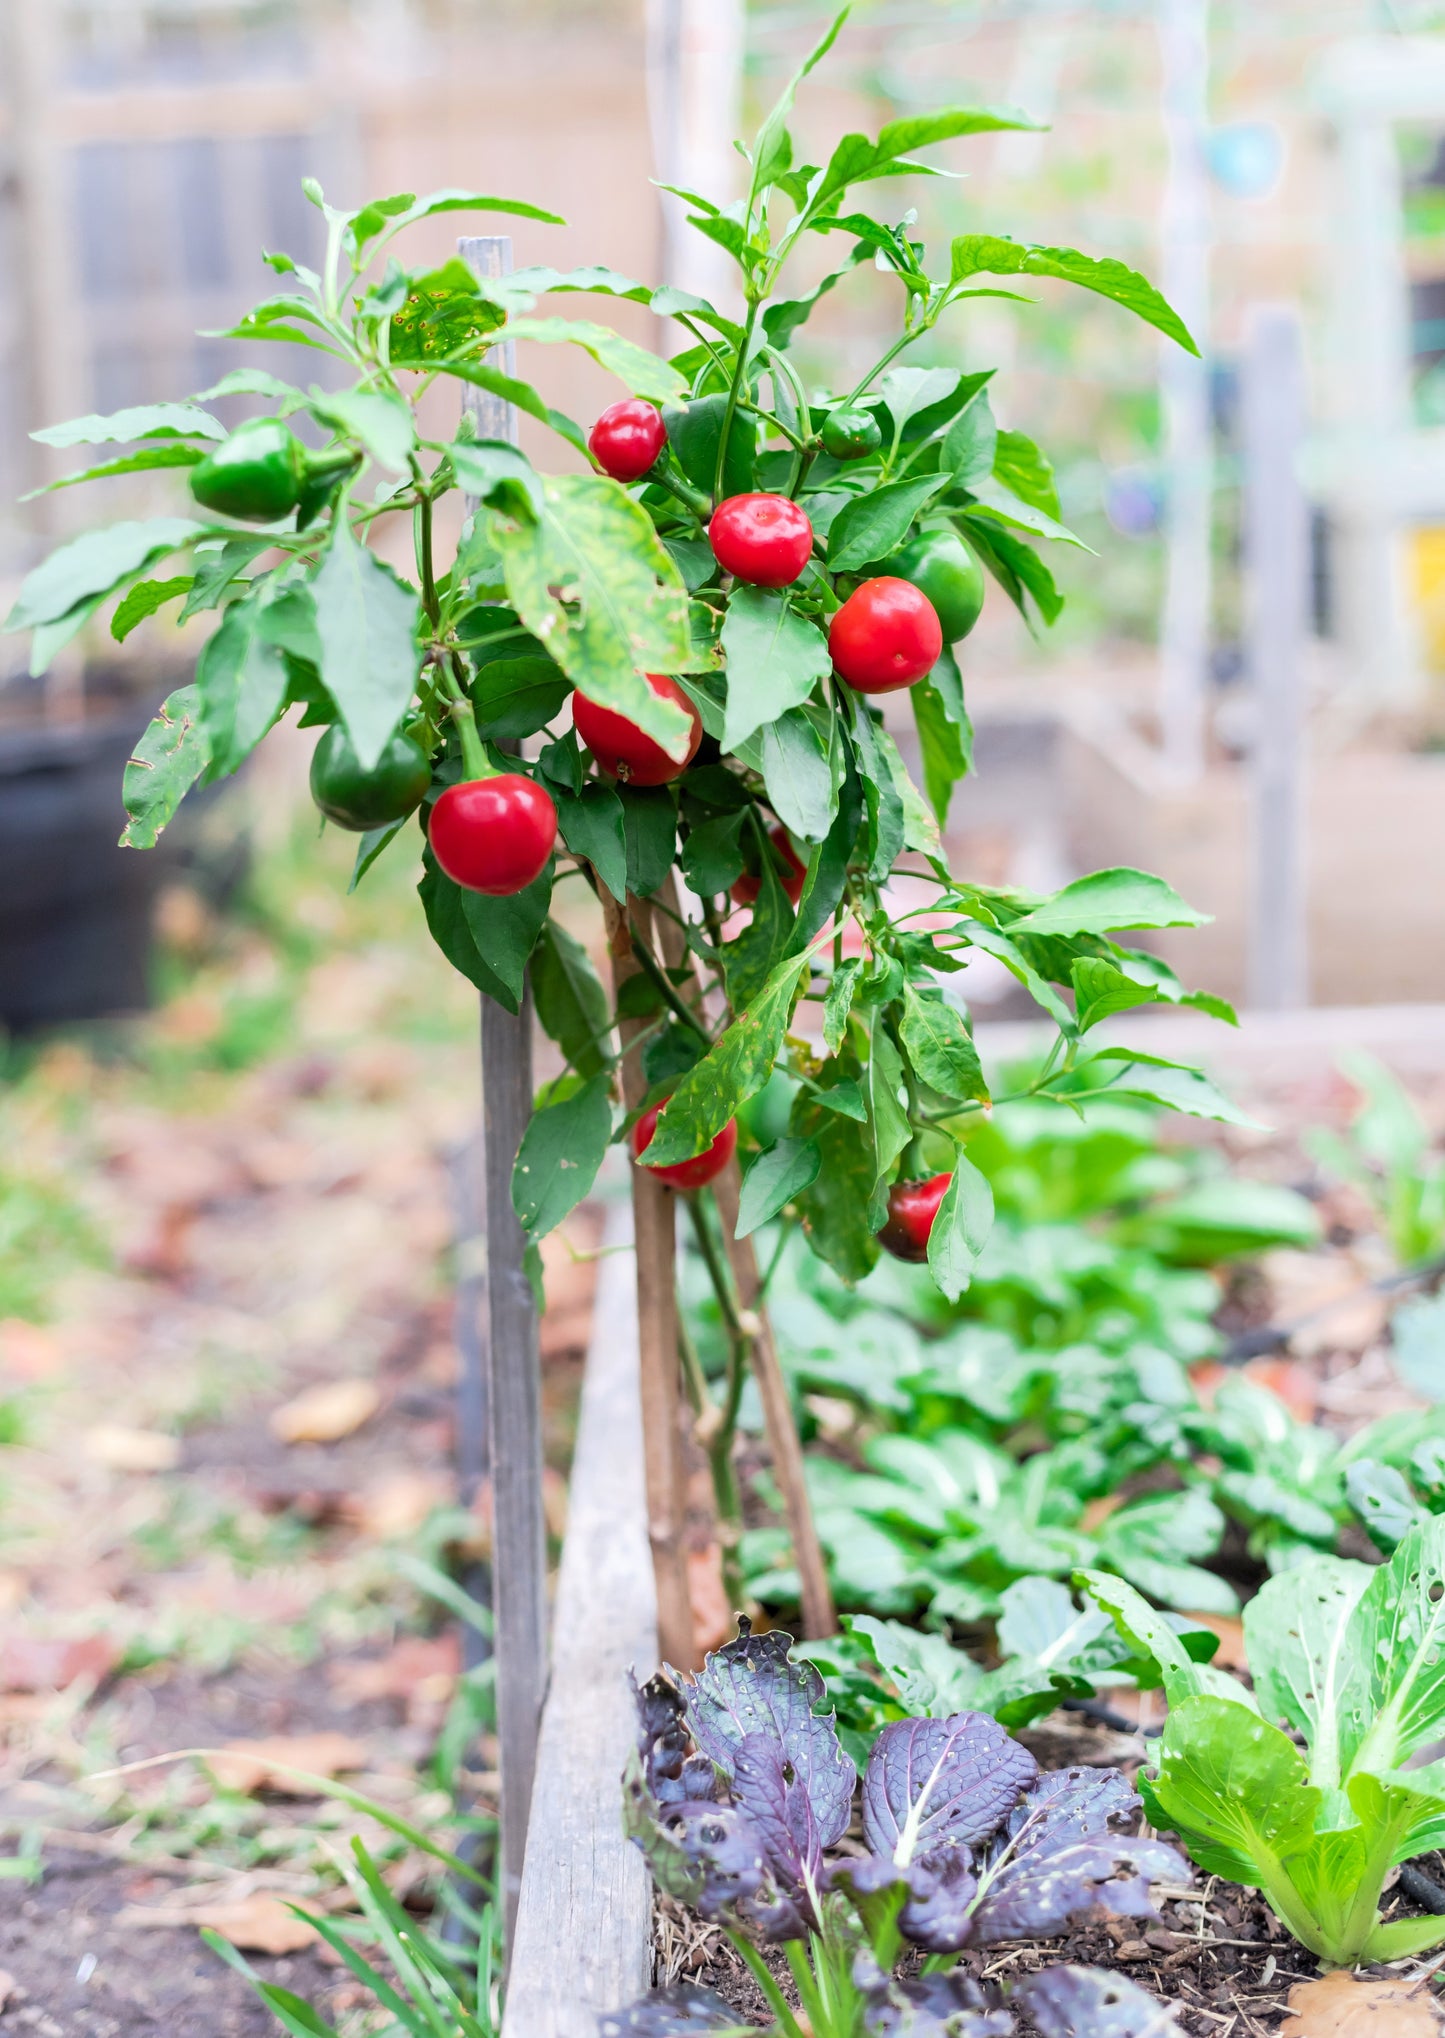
{"type": "Point", "coordinates": [1301, 1658]}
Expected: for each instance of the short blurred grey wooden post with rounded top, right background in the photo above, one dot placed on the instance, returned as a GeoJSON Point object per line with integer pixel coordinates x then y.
{"type": "Point", "coordinates": [1277, 576]}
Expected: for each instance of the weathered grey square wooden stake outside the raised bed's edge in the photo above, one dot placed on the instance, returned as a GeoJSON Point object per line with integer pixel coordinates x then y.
{"type": "Point", "coordinates": [515, 1389]}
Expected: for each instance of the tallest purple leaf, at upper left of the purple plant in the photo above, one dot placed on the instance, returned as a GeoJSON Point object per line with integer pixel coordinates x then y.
{"type": "Point", "coordinates": [753, 1691]}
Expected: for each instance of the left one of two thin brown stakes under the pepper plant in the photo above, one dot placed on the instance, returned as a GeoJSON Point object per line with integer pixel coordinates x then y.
{"type": "Point", "coordinates": [655, 1234]}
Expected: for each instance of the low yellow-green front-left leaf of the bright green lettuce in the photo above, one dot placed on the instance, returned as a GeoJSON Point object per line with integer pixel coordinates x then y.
{"type": "Point", "coordinates": [1234, 1788]}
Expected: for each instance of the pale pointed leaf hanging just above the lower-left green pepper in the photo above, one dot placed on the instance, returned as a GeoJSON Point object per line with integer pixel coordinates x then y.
{"type": "Point", "coordinates": [368, 623]}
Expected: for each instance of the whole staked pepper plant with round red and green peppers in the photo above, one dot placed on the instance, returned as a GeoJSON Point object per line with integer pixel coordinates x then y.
{"type": "Point", "coordinates": [692, 639]}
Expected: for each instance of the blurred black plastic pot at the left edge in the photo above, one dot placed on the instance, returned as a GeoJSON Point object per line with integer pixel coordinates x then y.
{"type": "Point", "coordinates": [76, 910]}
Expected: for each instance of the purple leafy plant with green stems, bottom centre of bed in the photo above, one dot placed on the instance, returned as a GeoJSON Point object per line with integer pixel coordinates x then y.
{"type": "Point", "coordinates": [743, 1801]}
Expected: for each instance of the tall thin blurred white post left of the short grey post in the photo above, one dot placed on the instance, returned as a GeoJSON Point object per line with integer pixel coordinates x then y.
{"type": "Point", "coordinates": [1185, 390]}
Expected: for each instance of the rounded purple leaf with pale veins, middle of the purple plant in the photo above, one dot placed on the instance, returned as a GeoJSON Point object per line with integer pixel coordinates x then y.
{"type": "Point", "coordinates": [941, 1782]}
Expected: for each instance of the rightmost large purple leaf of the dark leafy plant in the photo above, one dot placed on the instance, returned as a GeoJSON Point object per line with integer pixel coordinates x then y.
{"type": "Point", "coordinates": [1069, 1862]}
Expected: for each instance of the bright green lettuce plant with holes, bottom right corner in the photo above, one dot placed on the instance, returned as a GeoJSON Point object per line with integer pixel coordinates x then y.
{"type": "Point", "coordinates": [1352, 1662]}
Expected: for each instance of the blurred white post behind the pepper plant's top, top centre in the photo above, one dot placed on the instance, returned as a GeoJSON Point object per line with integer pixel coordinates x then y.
{"type": "Point", "coordinates": [694, 56]}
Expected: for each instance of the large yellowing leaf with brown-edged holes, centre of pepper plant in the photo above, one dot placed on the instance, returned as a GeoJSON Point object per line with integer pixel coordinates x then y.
{"type": "Point", "coordinates": [596, 588]}
